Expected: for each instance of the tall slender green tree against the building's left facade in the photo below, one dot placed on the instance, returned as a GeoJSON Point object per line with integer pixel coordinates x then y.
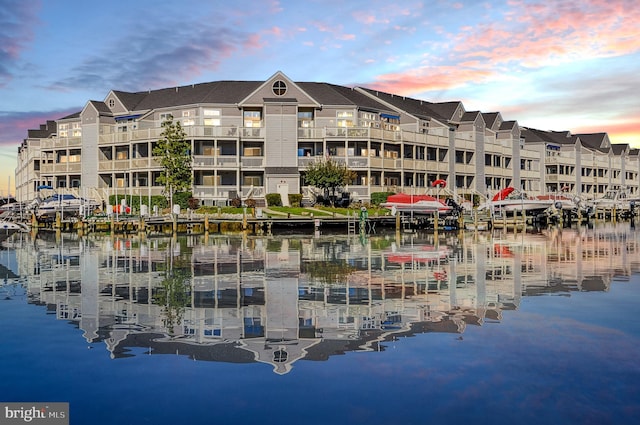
{"type": "Point", "coordinates": [175, 158]}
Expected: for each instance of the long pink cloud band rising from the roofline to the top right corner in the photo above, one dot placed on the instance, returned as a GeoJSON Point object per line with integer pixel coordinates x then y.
{"type": "Point", "coordinates": [539, 35]}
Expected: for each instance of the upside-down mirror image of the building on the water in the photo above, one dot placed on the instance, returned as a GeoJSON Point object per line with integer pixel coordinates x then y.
{"type": "Point", "coordinates": [281, 299]}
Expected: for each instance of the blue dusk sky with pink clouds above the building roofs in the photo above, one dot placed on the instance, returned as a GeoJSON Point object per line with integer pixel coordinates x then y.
{"type": "Point", "coordinates": [551, 65]}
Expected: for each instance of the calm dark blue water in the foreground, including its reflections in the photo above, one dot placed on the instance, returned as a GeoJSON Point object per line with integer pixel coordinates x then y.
{"type": "Point", "coordinates": [387, 329]}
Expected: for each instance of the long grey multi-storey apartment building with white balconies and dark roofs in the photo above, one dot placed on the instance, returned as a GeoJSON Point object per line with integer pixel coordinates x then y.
{"type": "Point", "coordinates": [250, 138]}
